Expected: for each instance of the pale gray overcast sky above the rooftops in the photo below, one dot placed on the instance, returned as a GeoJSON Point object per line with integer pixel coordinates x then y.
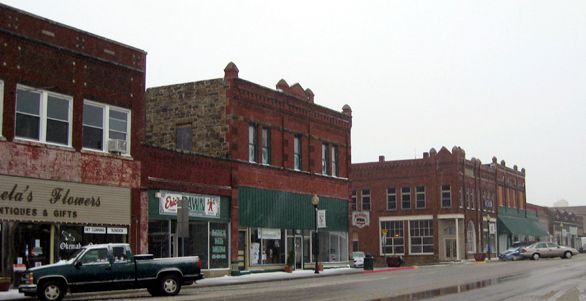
{"type": "Point", "coordinates": [500, 78]}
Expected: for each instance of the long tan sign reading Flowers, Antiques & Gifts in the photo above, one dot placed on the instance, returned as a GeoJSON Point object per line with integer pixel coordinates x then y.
{"type": "Point", "coordinates": [26, 199]}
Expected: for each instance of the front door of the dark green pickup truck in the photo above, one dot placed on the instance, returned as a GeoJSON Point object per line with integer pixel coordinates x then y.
{"type": "Point", "coordinates": [93, 271]}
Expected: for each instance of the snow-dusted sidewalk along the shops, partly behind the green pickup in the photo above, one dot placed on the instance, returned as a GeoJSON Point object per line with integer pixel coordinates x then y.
{"type": "Point", "coordinates": [243, 279]}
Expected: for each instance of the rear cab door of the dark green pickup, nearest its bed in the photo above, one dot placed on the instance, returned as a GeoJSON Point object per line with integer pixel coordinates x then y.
{"type": "Point", "coordinates": [123, 268]}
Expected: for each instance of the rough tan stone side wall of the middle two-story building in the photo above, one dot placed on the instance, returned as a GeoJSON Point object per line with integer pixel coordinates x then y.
{"type": "Point", "coordinates": [201, 105]}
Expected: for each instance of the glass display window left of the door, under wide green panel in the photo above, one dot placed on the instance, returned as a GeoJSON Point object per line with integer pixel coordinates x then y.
{"type": "Point", "coordinates": [267, 246]}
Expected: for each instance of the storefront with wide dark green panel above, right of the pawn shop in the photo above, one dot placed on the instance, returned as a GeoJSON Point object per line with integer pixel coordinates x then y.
{"type": "Point", "coordinates": [273, 223]}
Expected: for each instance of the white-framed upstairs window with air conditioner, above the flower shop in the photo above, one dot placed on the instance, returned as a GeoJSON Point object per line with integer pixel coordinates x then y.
{"type": "Point", "coordinates": [104, 123]}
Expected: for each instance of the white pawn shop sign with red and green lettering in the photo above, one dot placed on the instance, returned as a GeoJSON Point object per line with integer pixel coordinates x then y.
{"type": "Point", "coordinates": [199, 205]}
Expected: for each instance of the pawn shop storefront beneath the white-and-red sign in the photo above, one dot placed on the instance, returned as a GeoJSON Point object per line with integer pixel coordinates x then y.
{"type": "Point", "coordinates": [208, 230]}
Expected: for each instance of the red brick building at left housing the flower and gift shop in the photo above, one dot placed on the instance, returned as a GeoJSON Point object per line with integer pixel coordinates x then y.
{"type": "Point", "coordinates": [70, 108]}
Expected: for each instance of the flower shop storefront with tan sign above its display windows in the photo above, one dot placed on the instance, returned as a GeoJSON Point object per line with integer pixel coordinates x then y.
{"type": "Point", "coordinates": [45, 221]}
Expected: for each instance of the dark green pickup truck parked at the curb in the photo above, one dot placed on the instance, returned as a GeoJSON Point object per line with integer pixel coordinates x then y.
{"type": "Point", "coordinates": [110, 267]}
